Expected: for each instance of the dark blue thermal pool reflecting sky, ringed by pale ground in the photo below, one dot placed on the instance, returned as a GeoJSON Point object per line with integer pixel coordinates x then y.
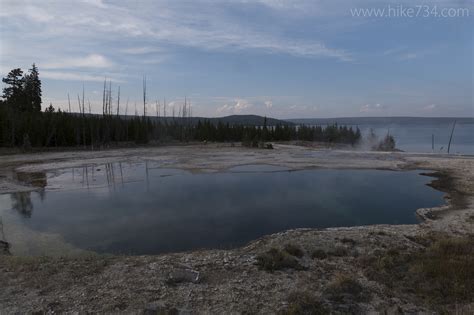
{"type": "Point", "coordinates": [141, 208]}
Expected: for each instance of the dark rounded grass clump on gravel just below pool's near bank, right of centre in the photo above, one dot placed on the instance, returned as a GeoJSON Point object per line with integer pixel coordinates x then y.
{"type": "Point", "coordinates": [275, 259]}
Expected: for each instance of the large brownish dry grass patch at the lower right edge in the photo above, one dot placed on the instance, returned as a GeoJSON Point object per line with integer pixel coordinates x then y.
{"type": "Point", "coordinates": [441, 274]}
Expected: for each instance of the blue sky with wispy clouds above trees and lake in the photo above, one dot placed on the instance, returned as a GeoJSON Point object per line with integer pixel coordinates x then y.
{"type": "Point", "coordinates": [279, 58]}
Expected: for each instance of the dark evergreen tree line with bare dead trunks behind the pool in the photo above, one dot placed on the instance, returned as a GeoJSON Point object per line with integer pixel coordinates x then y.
{"type": "Point", "coordinates": [23, 124]}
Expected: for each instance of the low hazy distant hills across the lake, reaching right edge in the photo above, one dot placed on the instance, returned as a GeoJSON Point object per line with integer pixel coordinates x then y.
{"type": "Point", "coordinates": [382, 120]}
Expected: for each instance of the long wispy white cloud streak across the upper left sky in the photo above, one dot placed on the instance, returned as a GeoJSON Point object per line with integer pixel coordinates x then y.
{"type": "Point", "coordinates": [205, 25]}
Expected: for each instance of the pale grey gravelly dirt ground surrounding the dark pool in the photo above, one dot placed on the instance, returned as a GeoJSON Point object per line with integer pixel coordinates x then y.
{"type": "Point", "coordinates": [337, 270]}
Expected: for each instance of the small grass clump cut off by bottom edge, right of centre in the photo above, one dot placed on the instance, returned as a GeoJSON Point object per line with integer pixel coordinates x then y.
{"type": "Point", "coordinates": [304, 303]}
